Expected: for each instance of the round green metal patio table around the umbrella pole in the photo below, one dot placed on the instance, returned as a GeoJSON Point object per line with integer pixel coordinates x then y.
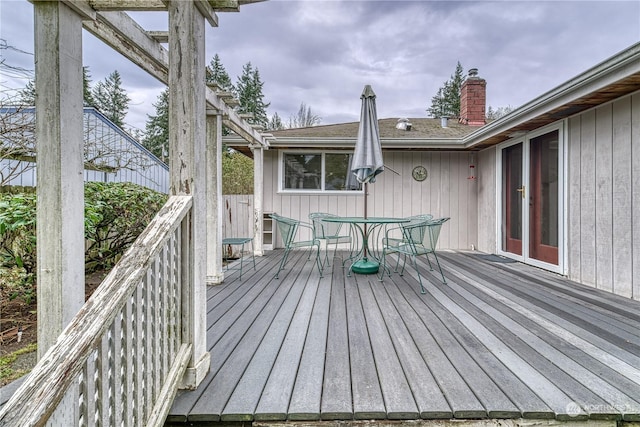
{"type": "Point", "coordinates": [364, 265]}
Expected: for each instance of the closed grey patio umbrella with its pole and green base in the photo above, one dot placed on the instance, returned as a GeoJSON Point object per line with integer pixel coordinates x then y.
{"type": "Point", "coordinates": [367, 160]}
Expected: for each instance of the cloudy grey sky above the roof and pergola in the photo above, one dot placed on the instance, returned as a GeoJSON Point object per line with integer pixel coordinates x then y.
{"type": "Point", "coordinates": [323, 52]}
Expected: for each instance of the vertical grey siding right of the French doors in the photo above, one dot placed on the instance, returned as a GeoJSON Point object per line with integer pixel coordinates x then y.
{"type": "Point", "coordinates": [604, 197]}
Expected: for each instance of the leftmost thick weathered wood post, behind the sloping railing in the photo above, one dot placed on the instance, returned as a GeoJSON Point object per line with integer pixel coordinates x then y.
{"type": "Point", "coordinates": [60, 179]}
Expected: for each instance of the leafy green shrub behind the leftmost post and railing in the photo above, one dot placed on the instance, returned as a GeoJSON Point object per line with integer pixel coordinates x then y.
{"type": "Point", "coordinates": [115, 214]}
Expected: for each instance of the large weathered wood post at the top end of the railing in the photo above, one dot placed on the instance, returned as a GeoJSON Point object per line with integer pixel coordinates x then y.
{"type": "Point", "coordinates": [187, 137]}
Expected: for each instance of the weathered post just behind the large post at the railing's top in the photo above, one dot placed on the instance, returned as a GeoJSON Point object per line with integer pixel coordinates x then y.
{"type": "Point", "coordinates": [214, 198]}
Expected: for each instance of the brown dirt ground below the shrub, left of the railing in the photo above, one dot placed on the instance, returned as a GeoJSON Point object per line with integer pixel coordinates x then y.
{"type": "Point", "coordinates": [15, 315]}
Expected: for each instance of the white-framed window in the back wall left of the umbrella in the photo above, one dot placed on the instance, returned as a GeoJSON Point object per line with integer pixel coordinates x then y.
{"type": "Point", "coordinates": [316, 171]}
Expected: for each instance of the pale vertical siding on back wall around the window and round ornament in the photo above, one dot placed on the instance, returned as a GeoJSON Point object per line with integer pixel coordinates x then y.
{"type": "Point", "coordinates": [447, 192]}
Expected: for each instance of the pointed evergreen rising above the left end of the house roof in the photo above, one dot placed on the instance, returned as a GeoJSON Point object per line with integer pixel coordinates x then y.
{"type": "Point", "coordinates": [249, 87]}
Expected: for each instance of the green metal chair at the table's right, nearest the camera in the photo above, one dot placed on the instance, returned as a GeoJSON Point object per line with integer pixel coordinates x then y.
{"type": "Point", "coordinates": [419, 238]}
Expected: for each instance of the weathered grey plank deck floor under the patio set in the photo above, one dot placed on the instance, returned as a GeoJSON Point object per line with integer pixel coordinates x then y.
{"type": "Point", "coordinates": [501, 340]}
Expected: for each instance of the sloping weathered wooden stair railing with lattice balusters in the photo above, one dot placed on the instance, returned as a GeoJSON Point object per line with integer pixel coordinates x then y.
{"type": "Point", "coordinates": [120, 360]}
